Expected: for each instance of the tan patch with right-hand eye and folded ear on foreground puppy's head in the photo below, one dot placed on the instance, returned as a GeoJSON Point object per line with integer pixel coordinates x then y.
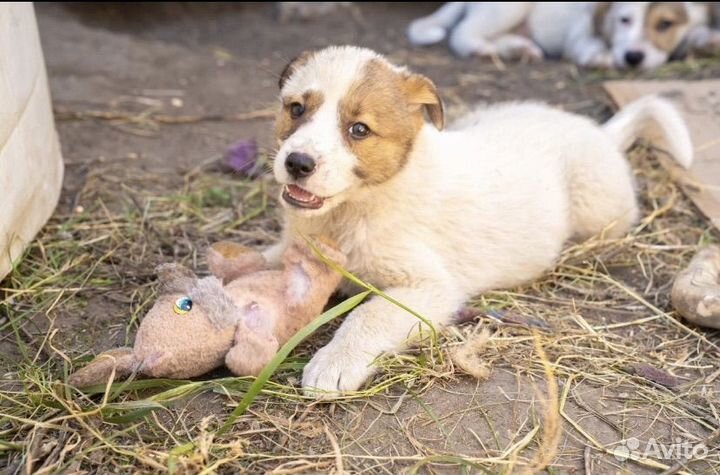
{"type": "Point", "coordinates": [380, 116]}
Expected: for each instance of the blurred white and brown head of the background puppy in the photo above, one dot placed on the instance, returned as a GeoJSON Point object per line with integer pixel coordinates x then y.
{"type": "Point", "coordinates": [641, 34]}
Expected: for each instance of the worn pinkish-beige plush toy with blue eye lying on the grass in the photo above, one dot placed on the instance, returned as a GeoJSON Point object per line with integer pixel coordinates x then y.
{"type": "Point", "coordinates": [239, 316]}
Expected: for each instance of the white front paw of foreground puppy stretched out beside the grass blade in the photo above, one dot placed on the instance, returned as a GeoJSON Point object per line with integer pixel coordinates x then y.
{"type": "Point", "coordinates": [334, 369]}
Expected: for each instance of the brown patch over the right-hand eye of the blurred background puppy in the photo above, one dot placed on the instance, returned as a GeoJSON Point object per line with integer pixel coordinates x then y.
{"type": "Point", "coordinates": [665, 24]}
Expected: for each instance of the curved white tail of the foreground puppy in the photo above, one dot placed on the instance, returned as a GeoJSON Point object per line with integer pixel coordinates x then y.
{"type": "Point", "coordinates": [629, 122]}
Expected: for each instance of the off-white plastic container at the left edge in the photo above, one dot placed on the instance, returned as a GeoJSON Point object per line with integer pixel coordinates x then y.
{"type": "Point", "coordinates": [31, 167]}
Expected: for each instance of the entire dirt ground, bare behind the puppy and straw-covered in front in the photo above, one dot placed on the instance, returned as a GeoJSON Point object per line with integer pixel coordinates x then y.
{"type": "Point", "coordinates": [140, 190]}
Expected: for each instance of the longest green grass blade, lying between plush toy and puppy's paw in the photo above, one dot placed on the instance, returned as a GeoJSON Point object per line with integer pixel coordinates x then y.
{"type": "Point", "coordinates": [270, 368]}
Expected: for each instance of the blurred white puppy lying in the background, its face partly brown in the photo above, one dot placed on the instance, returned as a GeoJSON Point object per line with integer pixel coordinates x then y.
{"type": "Point", "coordinates": [593, 34]}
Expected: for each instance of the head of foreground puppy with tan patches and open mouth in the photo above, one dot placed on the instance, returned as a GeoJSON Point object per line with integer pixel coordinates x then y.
{"type": "Point", "coordinates": [348, 119]}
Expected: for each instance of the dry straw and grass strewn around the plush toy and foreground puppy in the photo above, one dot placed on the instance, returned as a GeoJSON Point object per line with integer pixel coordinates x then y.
{"type": "Point", "coordinates": [606, 305]}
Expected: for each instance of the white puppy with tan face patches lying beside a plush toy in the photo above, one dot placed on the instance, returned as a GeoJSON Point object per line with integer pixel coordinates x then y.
{"type": "Point", "coordinates": [434, 217]}
